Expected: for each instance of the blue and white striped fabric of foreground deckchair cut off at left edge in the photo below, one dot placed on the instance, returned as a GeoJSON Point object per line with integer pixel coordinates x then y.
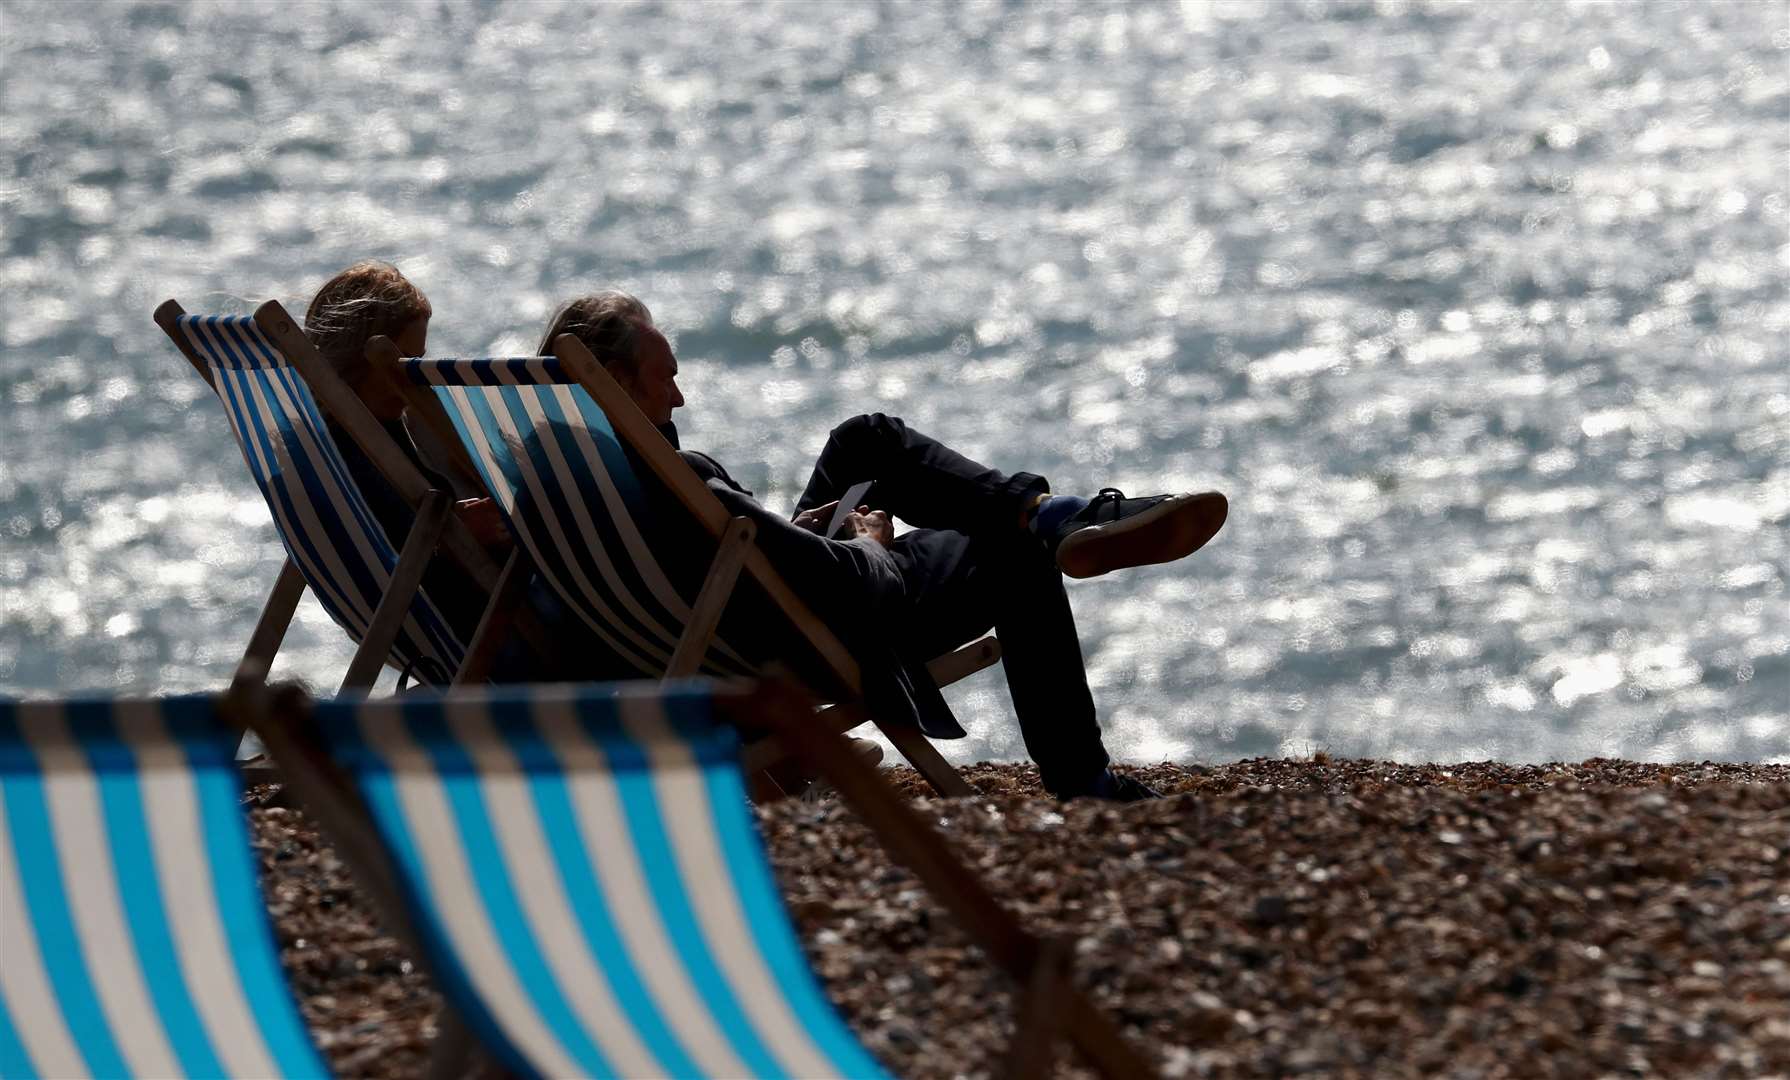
{"type": "Point", "coordinates": [133, 936]}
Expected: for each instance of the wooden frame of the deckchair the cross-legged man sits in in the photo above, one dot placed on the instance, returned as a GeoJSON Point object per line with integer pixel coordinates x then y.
{"type": "Point", "coordinates": [737, 556]}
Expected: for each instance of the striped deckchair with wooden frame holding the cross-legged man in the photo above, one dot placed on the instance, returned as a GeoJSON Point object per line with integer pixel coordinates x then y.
{"type": "Point", "coordinates": [547, 436]}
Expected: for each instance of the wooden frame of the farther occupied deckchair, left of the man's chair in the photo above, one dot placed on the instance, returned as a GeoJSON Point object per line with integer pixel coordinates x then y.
{"type": "Point", "coordinates": [436, 527]}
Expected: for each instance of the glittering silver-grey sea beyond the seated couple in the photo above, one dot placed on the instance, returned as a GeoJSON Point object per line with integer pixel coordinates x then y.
{"type": "Point", "coordinates": [1478, 313]}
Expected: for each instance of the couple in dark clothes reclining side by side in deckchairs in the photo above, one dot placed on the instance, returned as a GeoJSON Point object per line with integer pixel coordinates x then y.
{"type": "Point", "coordinates": [987, 549]}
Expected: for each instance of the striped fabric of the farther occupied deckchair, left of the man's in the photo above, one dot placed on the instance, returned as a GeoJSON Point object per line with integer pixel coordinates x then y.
{"type": "Point", "coordinates": [323, 520]}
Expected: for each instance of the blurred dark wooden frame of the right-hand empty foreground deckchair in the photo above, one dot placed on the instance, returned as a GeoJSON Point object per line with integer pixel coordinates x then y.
{"type": "Point", "coordinates": [1046, 1000]}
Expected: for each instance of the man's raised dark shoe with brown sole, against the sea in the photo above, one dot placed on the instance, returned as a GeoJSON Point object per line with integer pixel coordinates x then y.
{"type": "Point", "coordinates": [1114, 531]}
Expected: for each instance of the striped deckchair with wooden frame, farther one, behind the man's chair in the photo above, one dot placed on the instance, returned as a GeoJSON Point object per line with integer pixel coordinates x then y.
{"type": "Point", "coordinates": [266, 373]}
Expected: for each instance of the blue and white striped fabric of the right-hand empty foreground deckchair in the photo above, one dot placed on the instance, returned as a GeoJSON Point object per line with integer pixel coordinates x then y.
{"type": "Point", "coordinates": [584, 866]}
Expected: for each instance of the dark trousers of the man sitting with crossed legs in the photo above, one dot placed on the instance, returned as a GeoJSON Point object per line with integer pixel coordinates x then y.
{"type": "Point", "coordinates": [971, 567]}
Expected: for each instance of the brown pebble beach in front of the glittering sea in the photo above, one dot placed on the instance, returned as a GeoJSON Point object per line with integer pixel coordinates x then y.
{"type": "Point", "coordinates": [1266, 918]}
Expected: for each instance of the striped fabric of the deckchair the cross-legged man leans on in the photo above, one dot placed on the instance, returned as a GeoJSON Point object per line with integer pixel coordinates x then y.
{"type": "Point", "coordinates": [568, 490]}
